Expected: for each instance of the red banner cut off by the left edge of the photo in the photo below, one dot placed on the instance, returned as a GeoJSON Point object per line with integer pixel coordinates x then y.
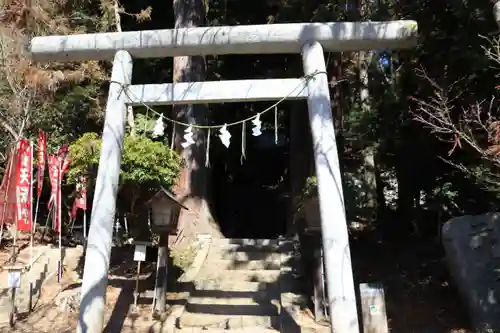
{"type": "Point", "coordinates": [8, 191]}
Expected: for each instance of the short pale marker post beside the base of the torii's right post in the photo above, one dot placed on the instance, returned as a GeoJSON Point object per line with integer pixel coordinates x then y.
{"type": "Point", "coordinates": [373, 308]}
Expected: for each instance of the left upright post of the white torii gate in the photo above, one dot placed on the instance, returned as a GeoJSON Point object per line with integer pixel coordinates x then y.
{"type": "Point", "coordinates": [95, 274]}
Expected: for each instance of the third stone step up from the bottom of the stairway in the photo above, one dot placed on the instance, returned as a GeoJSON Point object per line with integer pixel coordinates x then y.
{"type": "Point", "coordinates": [211, 286]}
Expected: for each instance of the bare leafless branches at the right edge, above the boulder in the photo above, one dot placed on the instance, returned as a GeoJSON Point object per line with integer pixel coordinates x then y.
{"type": "Point", "coordinates": [477, 126]}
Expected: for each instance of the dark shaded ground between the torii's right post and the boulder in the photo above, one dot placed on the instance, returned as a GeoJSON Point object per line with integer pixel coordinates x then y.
{"type": "Point", "coordinates": [420, 296]}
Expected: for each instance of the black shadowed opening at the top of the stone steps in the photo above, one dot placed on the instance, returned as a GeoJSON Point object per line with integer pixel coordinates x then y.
{"type": "Point", "coordinates": [251, 195]}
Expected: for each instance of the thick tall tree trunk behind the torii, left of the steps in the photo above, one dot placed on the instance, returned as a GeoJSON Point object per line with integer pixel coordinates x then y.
{"type": "Point", "coordinates": [193, 186]}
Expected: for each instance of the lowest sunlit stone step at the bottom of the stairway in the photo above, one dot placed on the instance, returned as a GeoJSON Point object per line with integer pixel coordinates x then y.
{"type": "Point", "coordinates": [226, 321]}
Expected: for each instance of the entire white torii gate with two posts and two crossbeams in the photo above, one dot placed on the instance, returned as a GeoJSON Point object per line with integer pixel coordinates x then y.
{"type": "Point", "coordinates": [309, 39]}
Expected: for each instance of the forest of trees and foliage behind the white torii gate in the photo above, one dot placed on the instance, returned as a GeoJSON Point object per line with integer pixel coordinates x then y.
{"type": "Point", "coordinates": [418, 129]}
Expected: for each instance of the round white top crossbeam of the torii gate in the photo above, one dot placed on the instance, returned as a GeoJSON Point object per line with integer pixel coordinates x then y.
{"type": "Point", "coordinates": [243, 39]}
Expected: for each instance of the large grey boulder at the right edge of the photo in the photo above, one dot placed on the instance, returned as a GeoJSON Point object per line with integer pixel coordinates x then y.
{"type": "Point", "coordinates": [471, 245]}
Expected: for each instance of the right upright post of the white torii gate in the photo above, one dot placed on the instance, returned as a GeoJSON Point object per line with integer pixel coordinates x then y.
{"type": "Point", "coordinates": [340, 282]}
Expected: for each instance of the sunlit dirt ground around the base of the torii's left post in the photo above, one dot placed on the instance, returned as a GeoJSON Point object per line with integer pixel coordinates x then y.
{"type": "Point", "coordinates": [56, 311]}
